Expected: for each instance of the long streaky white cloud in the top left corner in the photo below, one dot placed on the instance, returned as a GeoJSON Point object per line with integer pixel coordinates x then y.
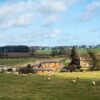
{"type": "Point", "coordinates": [14, 8]}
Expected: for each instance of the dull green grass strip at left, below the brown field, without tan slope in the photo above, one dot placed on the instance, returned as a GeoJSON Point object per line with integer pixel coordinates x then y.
{"type": "Point", "coordinates": [14, 62]}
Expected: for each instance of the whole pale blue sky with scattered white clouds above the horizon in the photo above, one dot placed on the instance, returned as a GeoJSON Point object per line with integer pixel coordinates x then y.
{"type": "Point", "coordinates": [49, 22]}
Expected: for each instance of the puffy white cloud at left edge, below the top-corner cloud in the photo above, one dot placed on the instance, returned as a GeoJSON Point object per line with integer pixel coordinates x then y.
{"type": "Point", "coordinates": [22, 20]}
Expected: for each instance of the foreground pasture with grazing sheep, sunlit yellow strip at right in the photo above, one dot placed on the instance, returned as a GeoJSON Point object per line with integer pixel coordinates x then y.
{"type": "Point", "coordinates": [59, 87]}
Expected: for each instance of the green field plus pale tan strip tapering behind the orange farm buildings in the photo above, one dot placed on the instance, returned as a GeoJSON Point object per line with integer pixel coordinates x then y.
{"type": "Point", "coordinates": [23, 61]}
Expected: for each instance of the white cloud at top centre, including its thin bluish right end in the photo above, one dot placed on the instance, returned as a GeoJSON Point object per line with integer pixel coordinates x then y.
{"type": "Point", "coordinates": [55, 6]}
